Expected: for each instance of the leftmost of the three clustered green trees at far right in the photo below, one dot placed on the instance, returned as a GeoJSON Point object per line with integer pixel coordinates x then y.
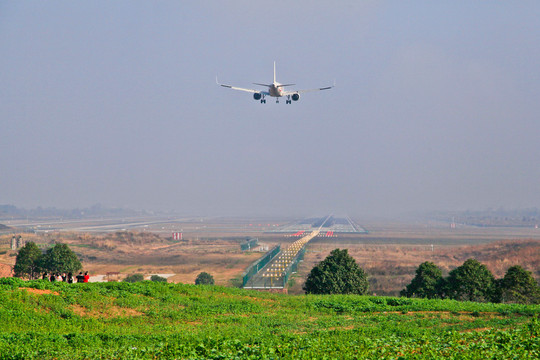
{"type": "Point", "coordinates": [426, 283]}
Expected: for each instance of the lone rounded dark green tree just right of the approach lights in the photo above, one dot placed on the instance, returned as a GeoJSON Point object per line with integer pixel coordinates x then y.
{"type": "Point", "coordinates": [337, 274]}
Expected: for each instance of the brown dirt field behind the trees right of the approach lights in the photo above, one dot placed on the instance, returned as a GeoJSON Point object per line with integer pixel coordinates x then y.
{"type": "Point", "coordinates": [392, 266]}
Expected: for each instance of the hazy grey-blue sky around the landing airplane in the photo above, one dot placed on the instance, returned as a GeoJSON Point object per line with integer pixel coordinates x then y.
{"type": "Point", "coordinates": [436, 106]}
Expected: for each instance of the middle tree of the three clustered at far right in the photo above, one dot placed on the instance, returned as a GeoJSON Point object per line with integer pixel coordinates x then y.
{"type": "Point", "coordinates": [471, 281]}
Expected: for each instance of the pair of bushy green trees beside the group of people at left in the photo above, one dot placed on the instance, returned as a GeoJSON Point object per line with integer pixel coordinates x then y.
{"type": "Point", "coordinates": [31, 261]}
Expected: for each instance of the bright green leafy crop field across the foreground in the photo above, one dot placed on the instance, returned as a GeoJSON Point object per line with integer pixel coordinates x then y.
{"type": "Point", "coordinates": [42, 320]}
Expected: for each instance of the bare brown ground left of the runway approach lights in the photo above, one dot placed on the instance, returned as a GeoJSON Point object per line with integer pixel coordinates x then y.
{"type": "Point", "coordinates": [147, 253]}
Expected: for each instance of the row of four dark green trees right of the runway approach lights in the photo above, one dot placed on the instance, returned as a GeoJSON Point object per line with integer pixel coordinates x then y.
{"type": "Point", "coordinates": [472, 281]}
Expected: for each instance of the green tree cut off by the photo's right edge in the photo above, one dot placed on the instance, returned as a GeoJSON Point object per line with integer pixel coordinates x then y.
{"type": "Point", "coordinates": [518, 286]}
